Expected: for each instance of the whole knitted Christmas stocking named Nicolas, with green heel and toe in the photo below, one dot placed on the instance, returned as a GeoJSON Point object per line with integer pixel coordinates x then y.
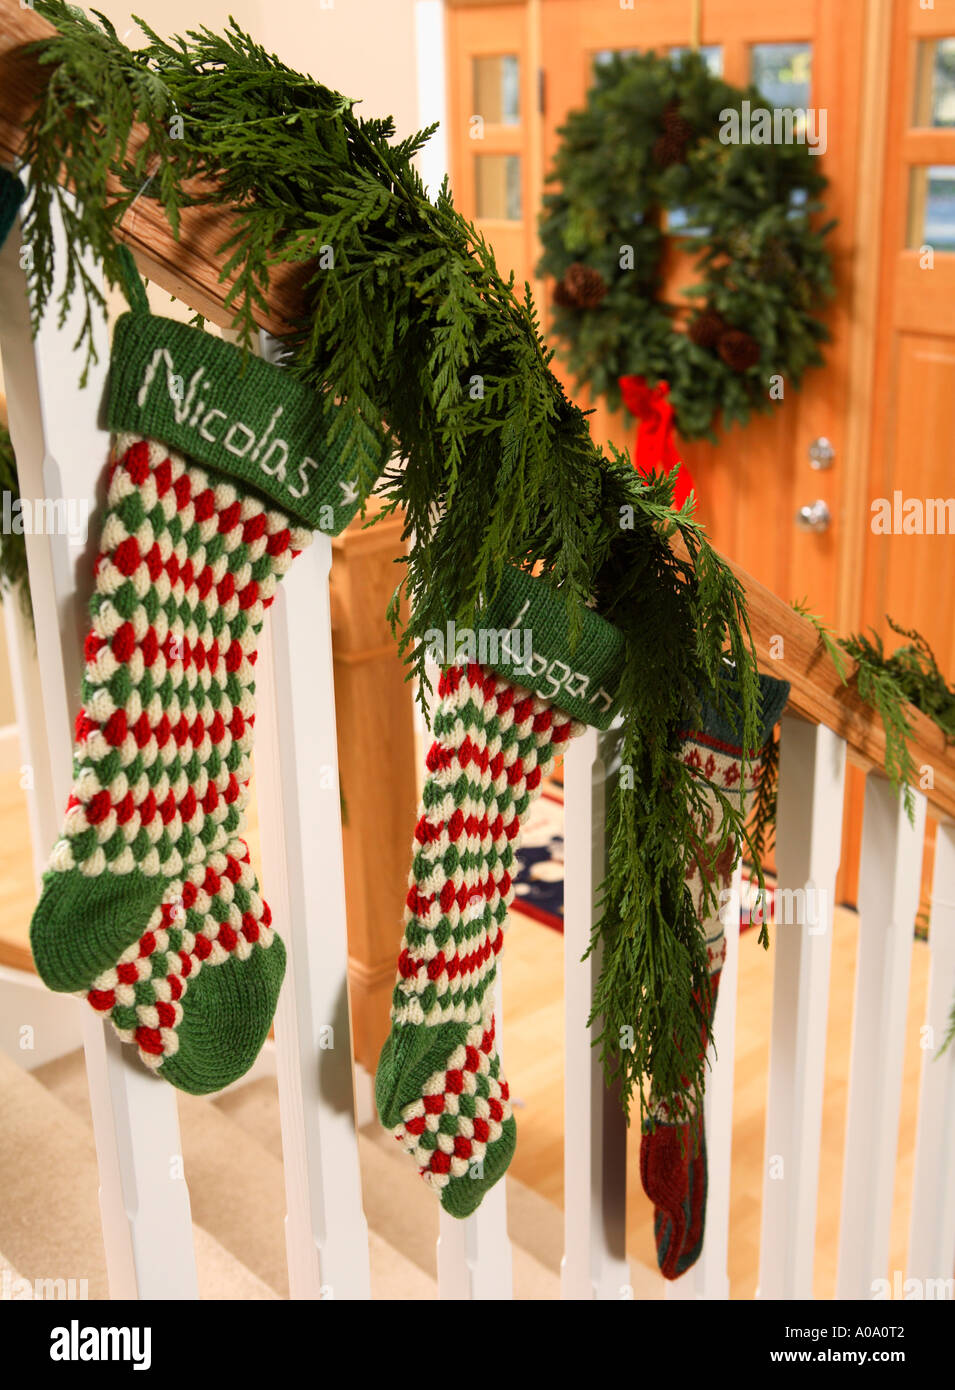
{"type": "Point", "coordinates": [149, 906]}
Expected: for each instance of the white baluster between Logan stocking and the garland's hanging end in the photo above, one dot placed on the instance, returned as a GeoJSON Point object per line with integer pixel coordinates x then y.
{"type": "Point", "coordinates": [596, 1132]}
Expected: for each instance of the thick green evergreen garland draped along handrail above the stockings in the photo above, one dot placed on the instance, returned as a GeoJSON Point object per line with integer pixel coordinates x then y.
{"type": "Point", "coordinates": [439, 359]}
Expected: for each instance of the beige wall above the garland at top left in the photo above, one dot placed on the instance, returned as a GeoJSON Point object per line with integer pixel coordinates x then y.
{"type": "Point", "coordinates": [362, 48]}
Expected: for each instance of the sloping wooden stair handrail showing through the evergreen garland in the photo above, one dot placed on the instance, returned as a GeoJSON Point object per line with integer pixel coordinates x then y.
{"type": "Point", "coordinates": [190, 270]}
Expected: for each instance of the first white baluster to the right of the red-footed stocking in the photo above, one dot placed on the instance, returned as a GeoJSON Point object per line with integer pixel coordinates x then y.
{"type": "Point", "coordinates": [810, 831]}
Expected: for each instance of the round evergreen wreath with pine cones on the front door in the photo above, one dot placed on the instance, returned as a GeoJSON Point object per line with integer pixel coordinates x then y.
{"type": "Point", "coordinates": [642, 161]}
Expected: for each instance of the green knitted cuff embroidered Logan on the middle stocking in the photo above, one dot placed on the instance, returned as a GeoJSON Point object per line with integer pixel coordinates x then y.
{"type": "Point", "coordinates": [533, 647]}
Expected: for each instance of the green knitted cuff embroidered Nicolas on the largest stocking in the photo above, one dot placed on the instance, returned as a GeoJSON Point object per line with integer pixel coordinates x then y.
{"type": "Point", "coordinates": [238, 415]}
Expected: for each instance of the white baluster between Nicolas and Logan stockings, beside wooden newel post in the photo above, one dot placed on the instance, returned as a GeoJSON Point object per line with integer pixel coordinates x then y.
{"type": "Point", "coordinates": [300, 812]}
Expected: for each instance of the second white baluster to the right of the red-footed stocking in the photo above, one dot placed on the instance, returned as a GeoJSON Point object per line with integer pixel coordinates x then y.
{"type": "Point", "coordinates": [889, 896]}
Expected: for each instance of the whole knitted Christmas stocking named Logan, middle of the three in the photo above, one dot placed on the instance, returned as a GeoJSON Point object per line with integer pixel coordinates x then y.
{"type": "Point", "coordinates": [500, 725]}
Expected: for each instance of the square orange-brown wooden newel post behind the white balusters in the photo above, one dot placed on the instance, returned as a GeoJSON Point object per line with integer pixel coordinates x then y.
{"type": "Point", "coordinates": [376, 754]}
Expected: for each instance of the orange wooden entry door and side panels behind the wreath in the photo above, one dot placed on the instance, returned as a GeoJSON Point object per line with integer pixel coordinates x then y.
{"type": "Point", "coordinates": [885, 74]}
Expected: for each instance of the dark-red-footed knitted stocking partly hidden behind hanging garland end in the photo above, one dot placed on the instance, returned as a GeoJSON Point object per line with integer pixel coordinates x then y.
{"type": "Point", "coordinates": [674, 1154]}
